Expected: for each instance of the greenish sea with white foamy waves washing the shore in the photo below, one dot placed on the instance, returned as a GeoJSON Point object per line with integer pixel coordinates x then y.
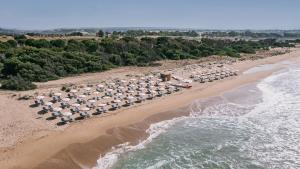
{"type": "Point", "coordinates": [256, 126]}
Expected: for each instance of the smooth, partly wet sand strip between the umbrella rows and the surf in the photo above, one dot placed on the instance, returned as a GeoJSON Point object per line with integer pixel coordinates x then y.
{"type": "Point", "coordinates": [81, 144]}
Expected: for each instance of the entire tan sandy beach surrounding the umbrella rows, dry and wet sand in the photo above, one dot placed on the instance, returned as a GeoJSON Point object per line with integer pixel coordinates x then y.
{"type": "Point", "coordinates": [27, 142]}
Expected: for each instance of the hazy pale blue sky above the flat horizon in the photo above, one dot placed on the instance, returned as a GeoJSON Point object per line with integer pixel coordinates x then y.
{"type": "Point", "coordinates": [196, 14]}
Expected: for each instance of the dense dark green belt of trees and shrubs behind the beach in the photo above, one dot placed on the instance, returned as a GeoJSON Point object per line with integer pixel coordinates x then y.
{"type": "Point", "coordinates": [23, 61]}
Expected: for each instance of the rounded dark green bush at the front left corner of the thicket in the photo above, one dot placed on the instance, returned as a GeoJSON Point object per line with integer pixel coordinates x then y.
{"type": "Point", "coordinates": [17, 83]}
